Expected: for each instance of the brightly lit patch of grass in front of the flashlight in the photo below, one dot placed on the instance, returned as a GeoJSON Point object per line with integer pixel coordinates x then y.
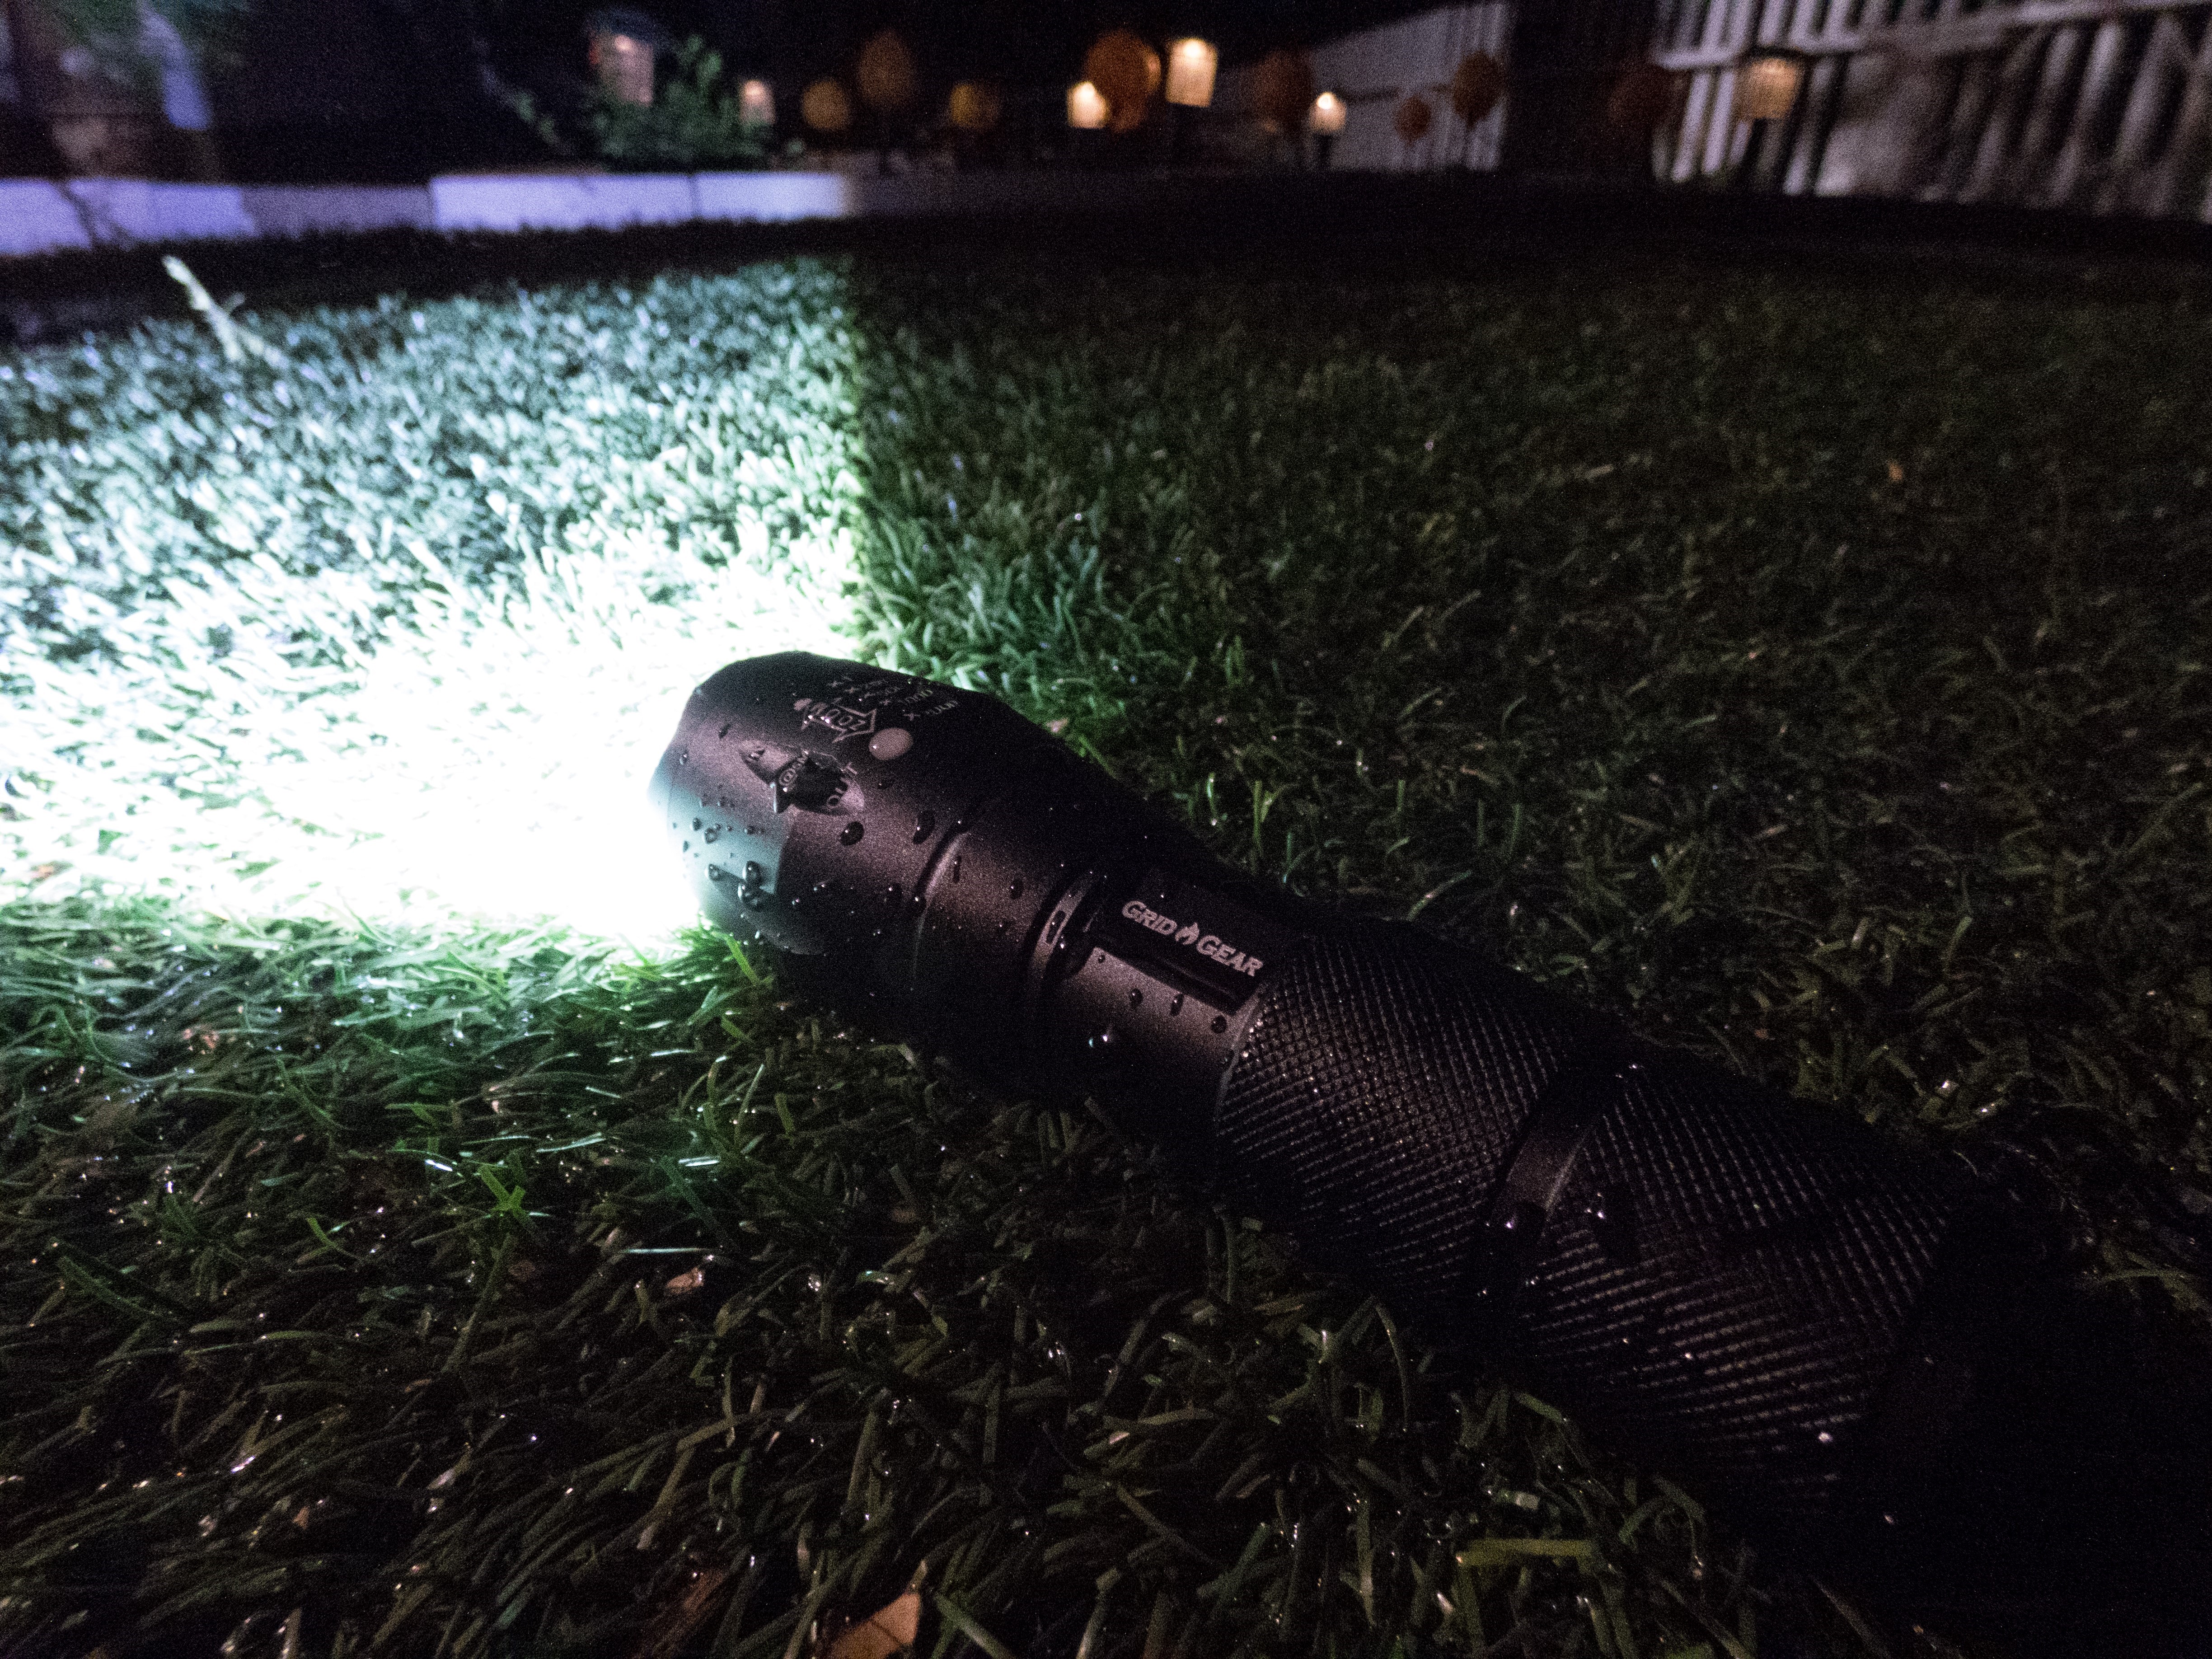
{"type": "Point", "coordinates": [393, 616]}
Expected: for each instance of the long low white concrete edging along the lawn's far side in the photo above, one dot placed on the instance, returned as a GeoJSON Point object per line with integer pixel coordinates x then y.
{"type": "Point", "coordinates": [45, 216]}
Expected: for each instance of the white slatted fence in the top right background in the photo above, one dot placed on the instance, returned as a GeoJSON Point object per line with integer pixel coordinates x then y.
{"type": "Point", "coordinates": [2089, 105]}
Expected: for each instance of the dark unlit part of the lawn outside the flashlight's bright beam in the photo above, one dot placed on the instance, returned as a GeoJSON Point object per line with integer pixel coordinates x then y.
{"type": "Point", "coordinates": [1808, 667]}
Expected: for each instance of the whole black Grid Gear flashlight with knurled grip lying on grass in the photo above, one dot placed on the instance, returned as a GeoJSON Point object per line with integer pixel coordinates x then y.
{"type": "Point", "coordinates": [1848, 1346]}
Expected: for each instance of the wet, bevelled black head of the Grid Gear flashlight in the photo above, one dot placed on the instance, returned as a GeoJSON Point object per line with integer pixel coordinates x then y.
{"type": "Point", "coordinates": [901, 844]}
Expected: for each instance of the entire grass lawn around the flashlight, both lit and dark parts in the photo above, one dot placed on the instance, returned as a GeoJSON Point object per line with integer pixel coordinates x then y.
{"type": "Point", "coordinates": [419, 1242]}
